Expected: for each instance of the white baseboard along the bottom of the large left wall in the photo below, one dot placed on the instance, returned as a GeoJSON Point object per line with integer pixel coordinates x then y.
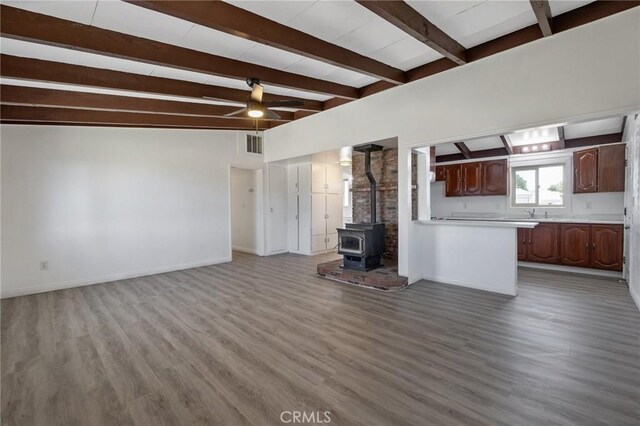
{"type": "Point", "coordinates": [107, 278]}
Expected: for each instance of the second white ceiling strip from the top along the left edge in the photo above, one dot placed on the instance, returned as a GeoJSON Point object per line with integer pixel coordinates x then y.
{"type": "Point", "coordinates": [69, 56]}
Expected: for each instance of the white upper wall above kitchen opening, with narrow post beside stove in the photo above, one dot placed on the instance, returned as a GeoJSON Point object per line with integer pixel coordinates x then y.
{"type": "Point", "coordinates": [585, 73]}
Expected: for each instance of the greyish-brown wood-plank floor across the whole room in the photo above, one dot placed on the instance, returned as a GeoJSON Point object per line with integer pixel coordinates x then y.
{"type": "Point", "coordinates": [239, 343]}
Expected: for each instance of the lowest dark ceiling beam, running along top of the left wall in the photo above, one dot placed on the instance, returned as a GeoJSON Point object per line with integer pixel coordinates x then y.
{"type": "Point", "coordinates": [17, 113]}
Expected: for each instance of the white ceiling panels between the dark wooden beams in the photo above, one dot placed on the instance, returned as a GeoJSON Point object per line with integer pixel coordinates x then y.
{"type": "Point", "coordinates": [344, 23]}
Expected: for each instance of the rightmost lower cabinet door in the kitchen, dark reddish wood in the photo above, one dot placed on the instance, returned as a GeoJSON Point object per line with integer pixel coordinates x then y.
{"type": "Point", "coordinates": [606, 247]}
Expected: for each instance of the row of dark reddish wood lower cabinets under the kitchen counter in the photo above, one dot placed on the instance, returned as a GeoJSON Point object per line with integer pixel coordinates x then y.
{"type": "Point", "coordinates": [573, 244]}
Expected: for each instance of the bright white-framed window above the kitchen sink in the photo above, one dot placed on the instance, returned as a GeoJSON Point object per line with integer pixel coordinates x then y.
{"type": "Point", "coordinates": [538, 186]}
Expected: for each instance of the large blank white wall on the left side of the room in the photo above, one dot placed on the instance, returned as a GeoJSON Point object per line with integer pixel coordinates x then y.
{"type": "Point", "coordinates": [101, 204]}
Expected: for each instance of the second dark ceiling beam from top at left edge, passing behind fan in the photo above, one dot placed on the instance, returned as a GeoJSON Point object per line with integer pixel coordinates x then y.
{"type": "Point", "coordinates": [57, 72]}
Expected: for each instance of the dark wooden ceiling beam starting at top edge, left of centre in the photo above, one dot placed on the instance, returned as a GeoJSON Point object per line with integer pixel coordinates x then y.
{"type": "Point", "coordinates": [239, 22]}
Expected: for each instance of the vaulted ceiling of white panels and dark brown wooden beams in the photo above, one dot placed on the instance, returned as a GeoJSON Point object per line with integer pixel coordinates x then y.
{"type": "Point", "coordinates": [184, 63]}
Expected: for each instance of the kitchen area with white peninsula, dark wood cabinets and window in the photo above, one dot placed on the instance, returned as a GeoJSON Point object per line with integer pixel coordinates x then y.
{"type": "Point", "coordinates": [556, 193]}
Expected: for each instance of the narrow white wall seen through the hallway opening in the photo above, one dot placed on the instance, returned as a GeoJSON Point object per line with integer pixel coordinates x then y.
{"type": "Point", "coordinates": [244, 210]}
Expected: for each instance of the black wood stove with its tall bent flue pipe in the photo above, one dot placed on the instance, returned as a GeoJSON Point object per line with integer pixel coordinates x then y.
{"type": "Point", "coordinates": [362, 244]}
